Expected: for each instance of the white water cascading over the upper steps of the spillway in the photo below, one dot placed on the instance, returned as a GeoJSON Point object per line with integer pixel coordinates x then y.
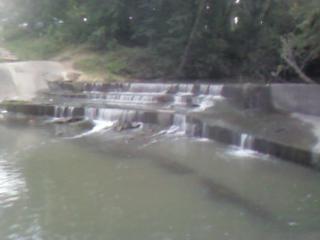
{"type": "Point", "coordinates": [181, 95]}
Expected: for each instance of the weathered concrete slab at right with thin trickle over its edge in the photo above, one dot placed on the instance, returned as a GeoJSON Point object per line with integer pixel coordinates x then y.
{"type": "Point", "coordinates": [277, 134]}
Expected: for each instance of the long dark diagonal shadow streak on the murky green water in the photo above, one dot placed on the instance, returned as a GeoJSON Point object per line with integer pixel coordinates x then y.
{"type": "Point", "coordinates": [215, 191]}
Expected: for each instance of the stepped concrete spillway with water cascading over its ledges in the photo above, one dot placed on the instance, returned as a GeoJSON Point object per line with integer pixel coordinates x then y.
{"type": "Point", "coordinates": [231, 114]}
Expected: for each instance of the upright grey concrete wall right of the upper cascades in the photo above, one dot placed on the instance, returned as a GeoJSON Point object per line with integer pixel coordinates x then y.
{"type": "Point", "coordinates": [292, 98]}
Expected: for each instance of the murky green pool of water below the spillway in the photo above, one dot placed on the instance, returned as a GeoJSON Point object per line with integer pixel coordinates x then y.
{"type": "Point", "coordinates": [173, 189]}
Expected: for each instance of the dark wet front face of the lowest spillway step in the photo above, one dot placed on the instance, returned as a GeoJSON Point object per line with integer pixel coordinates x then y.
{"type": "Point", "coordinates": [195, 128]}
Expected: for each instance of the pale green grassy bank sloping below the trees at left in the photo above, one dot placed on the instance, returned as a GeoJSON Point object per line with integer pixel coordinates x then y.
{"type": "Point", "coordinates": [117, 64]}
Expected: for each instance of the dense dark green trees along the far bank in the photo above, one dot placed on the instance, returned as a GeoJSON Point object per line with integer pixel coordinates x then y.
{"type": "Point", "coordinates": [189, 38]}
